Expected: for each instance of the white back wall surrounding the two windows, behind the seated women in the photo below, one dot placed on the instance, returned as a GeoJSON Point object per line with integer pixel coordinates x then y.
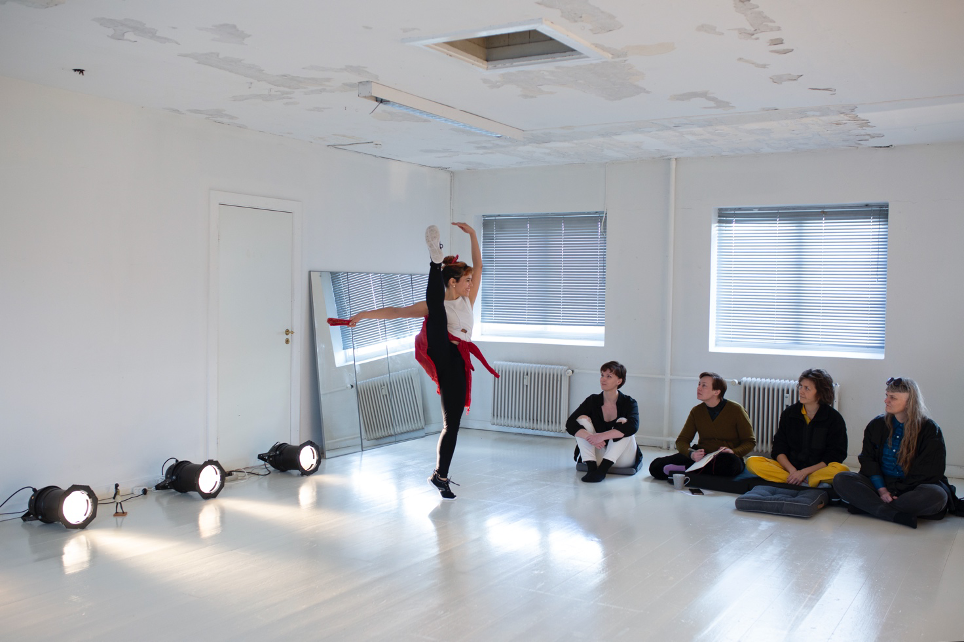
{"type": "Point", "coordinates": [925, 301]}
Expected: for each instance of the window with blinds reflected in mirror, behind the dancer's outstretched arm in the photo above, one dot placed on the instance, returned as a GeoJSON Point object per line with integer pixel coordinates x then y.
{"type": "Point", "coordinates": [358, 291]}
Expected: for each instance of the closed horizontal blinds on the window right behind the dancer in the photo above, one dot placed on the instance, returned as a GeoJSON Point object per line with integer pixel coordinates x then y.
{"type": "Point", "coordinates": [544, 269]}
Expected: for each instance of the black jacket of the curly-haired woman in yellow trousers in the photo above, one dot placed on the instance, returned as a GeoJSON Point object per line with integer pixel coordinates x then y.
{"type": "Point", "coordinates": [823, 439]}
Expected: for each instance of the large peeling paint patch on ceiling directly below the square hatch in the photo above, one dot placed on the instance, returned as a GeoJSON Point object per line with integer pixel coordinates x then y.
{"type": "Point", "coordinates": [607, 80]}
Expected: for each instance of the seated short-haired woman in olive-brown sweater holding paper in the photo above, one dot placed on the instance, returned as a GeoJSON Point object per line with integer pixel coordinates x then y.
{"type": "Point", "coordinates": [721, 425]}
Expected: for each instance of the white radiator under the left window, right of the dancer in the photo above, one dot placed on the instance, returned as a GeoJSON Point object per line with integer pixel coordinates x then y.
{"type": "Point", "coordinates": [531, 396]}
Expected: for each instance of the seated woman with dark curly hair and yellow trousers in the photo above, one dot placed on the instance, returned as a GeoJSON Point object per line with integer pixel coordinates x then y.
{"type": "Point", "coordinates": [811, 441]}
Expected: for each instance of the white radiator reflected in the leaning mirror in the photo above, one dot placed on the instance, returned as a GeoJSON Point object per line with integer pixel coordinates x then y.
{"type": "Point", "coordinates": [391, 404]}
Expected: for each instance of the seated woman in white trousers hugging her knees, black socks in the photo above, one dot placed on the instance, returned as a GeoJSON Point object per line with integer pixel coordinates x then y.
{"type": "Point", "coordinates": [604, 425]}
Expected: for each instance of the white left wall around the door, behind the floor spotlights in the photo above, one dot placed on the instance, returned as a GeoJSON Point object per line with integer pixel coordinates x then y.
{"type": "Point", "coordinates": [104, 271]}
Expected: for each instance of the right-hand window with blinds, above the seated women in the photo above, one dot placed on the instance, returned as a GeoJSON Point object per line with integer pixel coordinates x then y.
{"type": "Point", "coordinates": [800, 280]}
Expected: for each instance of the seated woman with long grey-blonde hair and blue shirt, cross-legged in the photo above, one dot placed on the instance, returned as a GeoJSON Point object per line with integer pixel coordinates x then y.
{"type": "Point", "coordinates": [901, 463]}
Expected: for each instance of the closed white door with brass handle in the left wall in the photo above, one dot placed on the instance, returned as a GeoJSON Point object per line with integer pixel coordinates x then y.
{"type": "Point", "coordinates": [254, 361]}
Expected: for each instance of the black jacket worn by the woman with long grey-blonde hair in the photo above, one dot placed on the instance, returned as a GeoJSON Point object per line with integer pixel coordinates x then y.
{"type": "Point", "coordinates": [927, 466]}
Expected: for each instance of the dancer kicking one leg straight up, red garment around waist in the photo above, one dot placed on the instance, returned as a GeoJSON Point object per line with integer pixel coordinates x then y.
{"type": "Point", "coordinates": [444, 345]}
